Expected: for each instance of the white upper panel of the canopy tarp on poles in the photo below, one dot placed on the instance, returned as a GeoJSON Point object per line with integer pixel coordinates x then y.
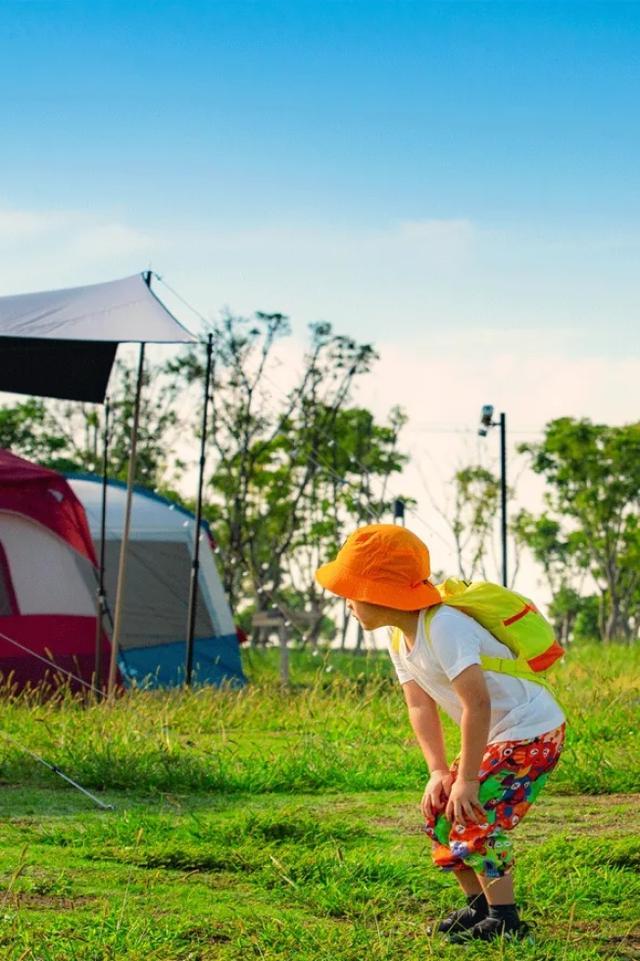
{"type": "Point", "coordinates": [119, 310]}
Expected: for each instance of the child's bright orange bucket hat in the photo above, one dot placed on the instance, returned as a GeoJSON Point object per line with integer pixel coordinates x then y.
{"type": "Point", "coordinates": [382, 564]}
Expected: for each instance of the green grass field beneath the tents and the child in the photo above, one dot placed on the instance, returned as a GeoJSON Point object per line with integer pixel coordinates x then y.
{"type": "Point", "coordinates": [284, 825]}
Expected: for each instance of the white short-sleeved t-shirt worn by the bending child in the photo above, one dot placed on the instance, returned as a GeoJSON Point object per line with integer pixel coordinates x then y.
{"type": "Point", "coordinates": [519, 709]}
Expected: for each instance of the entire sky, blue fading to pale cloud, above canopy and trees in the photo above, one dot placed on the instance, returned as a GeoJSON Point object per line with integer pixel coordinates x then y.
{"type": "Point", "coordinates": [458, 182]}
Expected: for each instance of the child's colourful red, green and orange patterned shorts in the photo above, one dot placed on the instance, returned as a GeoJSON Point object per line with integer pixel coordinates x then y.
{"type": "Point", "coordinates": [512, 774]}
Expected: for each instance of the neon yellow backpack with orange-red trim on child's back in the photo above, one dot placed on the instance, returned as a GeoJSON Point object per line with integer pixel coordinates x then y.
{"type": "Point", "coordinates": [511, 618]}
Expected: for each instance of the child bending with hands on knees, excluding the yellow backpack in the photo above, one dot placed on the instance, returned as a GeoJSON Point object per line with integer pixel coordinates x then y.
{"type": "Point", "coordinates": [512, 730]}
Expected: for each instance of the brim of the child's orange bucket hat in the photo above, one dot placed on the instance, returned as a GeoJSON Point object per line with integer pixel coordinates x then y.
{"type": "Point", "coordinates": [343, 582]}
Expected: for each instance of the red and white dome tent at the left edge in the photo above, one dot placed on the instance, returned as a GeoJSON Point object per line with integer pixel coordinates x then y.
{"type": "Point", "coordinates": [47, 577]}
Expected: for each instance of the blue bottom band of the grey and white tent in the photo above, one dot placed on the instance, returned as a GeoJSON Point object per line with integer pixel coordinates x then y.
{"type": "Point", "coordinates": [216, 660]}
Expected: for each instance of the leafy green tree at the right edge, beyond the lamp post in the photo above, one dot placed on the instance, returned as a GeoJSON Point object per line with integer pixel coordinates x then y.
{"type": "Point", "coordinates": [593, 487]}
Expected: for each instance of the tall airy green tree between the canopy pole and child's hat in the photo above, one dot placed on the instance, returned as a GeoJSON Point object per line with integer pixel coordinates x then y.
{"type": "Point", "coordinates": [288, 474]}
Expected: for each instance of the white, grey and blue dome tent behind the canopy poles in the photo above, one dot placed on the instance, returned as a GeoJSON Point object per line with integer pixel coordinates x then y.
{"type": "Point", "coordinates": [152, 644]}
